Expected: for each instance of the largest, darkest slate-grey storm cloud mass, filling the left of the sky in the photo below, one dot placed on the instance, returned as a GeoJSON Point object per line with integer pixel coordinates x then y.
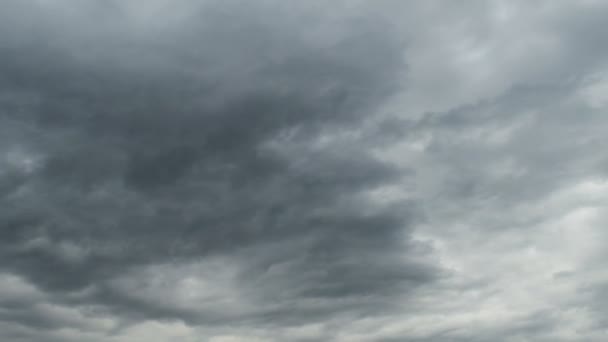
{"type": "Point", "coordinates": [211, 138]}
